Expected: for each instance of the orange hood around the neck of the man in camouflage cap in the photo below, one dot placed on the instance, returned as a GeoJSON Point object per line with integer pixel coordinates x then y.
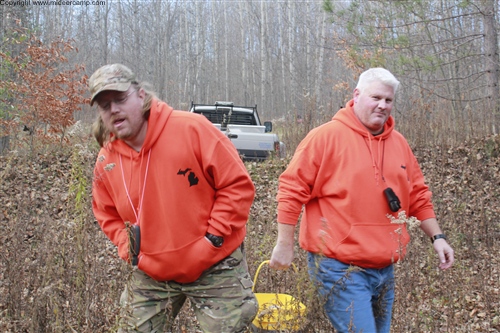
{"type": "Point", "coordinates": [158, 117]}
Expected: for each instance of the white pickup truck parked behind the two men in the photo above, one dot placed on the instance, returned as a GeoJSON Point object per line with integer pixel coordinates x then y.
{"type": "Point", "coordinates": [241, 124]}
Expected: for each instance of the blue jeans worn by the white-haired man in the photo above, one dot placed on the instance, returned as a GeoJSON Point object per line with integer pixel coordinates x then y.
{"type": "Point", "coordinates": [355, 299]}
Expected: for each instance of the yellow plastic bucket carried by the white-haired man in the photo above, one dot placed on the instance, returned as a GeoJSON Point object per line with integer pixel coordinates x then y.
{"type": "Point", "coordinates": [278, 311]}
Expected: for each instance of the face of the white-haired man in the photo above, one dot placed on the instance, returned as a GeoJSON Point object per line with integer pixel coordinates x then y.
{"type": "Point", "coordinates": [373, 106]}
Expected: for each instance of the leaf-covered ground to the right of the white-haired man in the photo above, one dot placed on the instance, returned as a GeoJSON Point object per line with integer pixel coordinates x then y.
{"type": "Point", "coordinates": [465, 182]}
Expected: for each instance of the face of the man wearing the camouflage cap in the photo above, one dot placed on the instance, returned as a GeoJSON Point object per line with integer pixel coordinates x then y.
{"type": "Point", "coordinates": [121, 113]}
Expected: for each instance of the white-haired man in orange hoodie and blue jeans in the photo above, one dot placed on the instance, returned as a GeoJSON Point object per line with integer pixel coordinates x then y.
{"type": "Point", "coordinates": [355, 176]}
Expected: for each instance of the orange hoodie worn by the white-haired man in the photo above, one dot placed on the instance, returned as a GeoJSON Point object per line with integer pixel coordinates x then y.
{"type": "Point", "coordinates": [339, 172]}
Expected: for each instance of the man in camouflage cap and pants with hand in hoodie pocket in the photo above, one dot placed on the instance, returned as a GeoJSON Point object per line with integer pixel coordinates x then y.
{"type": "Point", "coordinates": [171, 192]}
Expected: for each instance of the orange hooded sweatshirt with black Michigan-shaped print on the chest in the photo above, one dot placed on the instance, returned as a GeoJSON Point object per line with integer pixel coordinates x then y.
{"type": "Point", "coordinates": [187, 180]}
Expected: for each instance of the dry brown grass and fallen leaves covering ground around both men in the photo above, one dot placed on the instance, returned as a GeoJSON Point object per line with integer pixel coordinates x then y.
{"type": "Point", "coordinates": [59, 273]}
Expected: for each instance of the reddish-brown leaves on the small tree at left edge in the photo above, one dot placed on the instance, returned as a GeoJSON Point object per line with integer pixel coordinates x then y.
{"type": "Point", "coordinates": [45, 92]}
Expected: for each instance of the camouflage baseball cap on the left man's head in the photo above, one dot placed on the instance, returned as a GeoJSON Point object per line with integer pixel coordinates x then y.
{"type": "Point", "coordinates": [110, 77]}
